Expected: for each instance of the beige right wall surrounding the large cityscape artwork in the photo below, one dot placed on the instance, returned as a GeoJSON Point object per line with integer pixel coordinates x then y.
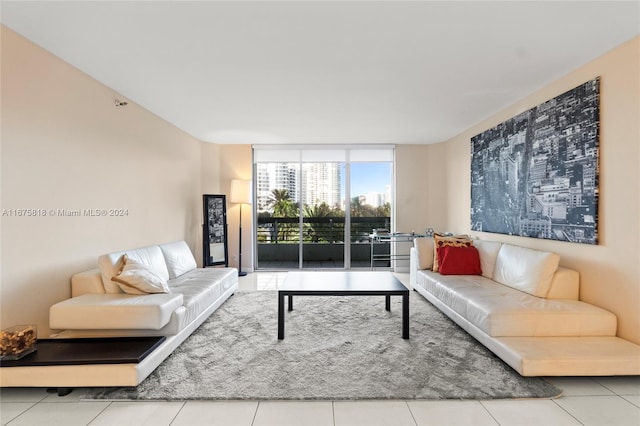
{"type": "Point", "coordinates": [610, 271]}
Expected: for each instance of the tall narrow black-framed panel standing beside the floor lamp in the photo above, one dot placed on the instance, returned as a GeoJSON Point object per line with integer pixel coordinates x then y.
{"type": "Point", "coordinates": [214, 233]}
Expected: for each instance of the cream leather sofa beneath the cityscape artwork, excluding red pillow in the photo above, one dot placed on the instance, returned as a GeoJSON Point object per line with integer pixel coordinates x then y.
{"type": "Point", "coordinates": [526, 309]}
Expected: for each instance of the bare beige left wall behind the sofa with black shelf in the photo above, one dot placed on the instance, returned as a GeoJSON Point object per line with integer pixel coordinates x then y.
{"type": "Point", "coordinates": [66, 146]}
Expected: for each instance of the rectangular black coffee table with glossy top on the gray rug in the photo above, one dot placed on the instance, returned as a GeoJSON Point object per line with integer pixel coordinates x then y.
{"type": "Point", "coordinates": [343, 283]}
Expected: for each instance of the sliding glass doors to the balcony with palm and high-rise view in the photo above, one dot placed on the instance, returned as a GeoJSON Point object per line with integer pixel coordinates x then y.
{"type": "Point", "coordinates": [318, 212]}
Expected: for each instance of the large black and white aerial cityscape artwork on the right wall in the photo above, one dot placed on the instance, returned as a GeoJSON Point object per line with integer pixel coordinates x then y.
{"type": "Point", "coordinates": [536, 174]}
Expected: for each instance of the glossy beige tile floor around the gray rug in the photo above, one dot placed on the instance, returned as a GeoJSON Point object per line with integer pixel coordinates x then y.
{"type": "Point", "coordinates": [586, 401]}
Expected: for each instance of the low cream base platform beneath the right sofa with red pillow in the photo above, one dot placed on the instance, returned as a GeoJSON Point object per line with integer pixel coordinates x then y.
{"type": "Point", "coordinates": [554, 356]}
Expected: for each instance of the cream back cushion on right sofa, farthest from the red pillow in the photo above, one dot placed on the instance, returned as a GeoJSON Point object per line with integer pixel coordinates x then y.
{"type": "Point", "coordinates": [525, 269]}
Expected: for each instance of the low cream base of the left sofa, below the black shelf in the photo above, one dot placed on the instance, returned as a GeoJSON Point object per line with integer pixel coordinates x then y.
{"type": "Point", "coordinates": [104, 375]}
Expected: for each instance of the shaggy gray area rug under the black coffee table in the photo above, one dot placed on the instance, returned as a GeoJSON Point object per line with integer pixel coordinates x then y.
{"type": "Point", "coordinates": [334, 348]}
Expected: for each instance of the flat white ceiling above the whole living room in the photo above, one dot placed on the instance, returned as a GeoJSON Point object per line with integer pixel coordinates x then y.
{"type": "Point", "coordinates": [325, 72]}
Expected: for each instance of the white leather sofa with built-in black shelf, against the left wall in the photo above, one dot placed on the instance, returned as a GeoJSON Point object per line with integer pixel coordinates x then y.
{"type": "Point", "coordinates": [99, 308]}
